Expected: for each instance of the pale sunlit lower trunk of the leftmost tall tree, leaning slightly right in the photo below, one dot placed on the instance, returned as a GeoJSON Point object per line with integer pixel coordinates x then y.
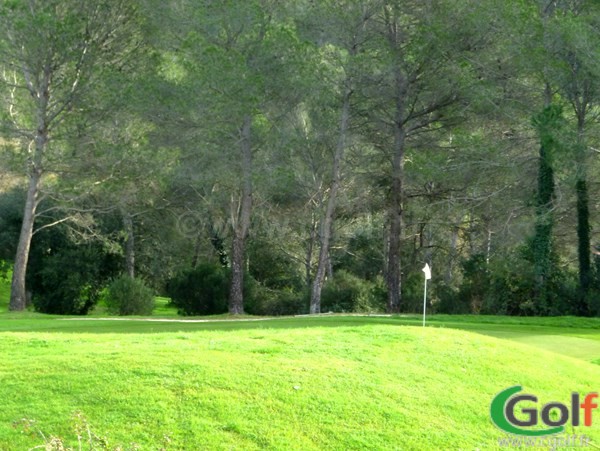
{"type": "Point", "coordinates": [18, 291]}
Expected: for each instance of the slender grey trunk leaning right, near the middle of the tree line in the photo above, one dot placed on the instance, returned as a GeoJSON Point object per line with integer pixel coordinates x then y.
{"type": "Point", "coordinates": [327, 223]}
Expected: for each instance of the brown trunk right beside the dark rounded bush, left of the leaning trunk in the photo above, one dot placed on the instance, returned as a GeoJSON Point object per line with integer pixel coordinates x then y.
{"type": "Point", "coordinates": [242, 223]}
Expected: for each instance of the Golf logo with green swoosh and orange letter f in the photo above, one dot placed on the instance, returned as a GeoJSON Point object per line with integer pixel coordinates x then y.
{"type": "Point", "coordinates": [513, 413]}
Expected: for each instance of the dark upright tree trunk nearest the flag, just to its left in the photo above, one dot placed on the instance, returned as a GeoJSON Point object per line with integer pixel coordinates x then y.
{"type": "Point", "coordinates": [393, 275]}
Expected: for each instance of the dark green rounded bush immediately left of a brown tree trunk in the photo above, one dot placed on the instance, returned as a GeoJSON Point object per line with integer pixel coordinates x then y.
{"type": "Point", "coordinates": [203, 290]}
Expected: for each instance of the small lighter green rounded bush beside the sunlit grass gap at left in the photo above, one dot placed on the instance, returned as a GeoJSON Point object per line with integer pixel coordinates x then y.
{"type": "Point", "coordinates": [127, 296]}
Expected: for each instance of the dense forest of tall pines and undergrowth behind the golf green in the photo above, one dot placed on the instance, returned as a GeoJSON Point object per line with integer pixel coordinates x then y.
{"type": "Point", "coordinates": [283, 157]}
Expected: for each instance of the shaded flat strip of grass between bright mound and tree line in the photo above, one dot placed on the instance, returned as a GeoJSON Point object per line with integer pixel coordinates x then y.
{"type": "Point", "coordinates": [581, 342]}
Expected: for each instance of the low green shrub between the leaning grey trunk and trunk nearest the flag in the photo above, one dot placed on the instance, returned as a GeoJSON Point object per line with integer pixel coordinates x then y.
{"type": "Point", "coordinates": [349, 293]}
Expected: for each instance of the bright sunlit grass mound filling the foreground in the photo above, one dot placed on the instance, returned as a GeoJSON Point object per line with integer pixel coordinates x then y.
{"type": "Point", "coordinates": [311, 383]}
